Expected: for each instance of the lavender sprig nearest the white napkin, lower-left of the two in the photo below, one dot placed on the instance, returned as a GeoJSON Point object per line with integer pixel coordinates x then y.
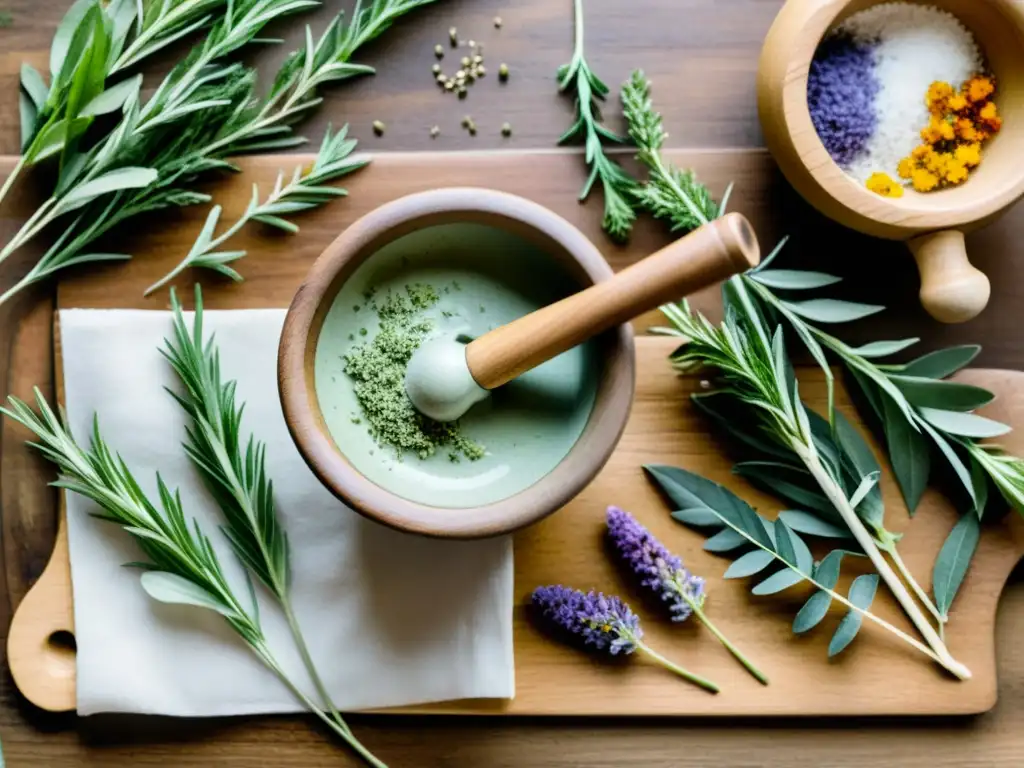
{"type": "Point", "coordinates": [606, 623]}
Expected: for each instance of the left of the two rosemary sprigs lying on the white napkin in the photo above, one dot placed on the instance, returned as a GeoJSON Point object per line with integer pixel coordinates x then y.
{"type": "Point", "coordinates": [183, 567]}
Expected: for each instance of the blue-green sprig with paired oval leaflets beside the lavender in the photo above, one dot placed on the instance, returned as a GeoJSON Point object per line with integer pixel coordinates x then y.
{"type": "Point", "coordinates": [705, 504]}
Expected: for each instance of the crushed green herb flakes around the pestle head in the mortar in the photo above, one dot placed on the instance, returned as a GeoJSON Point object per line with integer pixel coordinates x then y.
{"type": "Point", "coordinates": [378, 371]}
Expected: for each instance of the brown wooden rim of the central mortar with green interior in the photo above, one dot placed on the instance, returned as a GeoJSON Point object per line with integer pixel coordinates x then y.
{"type": "Point", "coordinates": [580, 260]}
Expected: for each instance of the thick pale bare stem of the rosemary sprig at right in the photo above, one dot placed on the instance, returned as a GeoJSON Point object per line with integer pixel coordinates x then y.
{"type": "Point", "coordinates": [842, 504]}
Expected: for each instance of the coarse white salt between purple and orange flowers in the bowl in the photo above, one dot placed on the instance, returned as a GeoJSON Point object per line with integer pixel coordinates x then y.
{"type": "Point", "coordinates": [913, 47]}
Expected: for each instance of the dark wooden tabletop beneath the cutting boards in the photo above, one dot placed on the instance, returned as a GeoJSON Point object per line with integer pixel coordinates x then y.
{"type": "Point", "coordinates": [702, 56]}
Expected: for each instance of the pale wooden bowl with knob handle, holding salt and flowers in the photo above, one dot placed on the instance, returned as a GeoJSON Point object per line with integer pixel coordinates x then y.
{"type": "Point", "coordinates": [932, 225]}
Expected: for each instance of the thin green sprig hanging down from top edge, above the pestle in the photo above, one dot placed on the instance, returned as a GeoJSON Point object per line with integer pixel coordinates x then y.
{"type": "Point", "coordinates": [619, 186]}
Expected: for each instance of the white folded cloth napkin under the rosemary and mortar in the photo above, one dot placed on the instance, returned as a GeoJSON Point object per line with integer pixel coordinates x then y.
{"type": "Point", "coordinates": [391, 619]}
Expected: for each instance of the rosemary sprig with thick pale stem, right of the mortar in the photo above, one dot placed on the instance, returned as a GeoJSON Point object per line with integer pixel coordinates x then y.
{"type": "Point", "coordinates": [754, 369]}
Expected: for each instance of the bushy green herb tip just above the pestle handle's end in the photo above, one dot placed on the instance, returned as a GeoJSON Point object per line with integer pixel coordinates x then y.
{"type": "Point", "coordinates": [669, 193]}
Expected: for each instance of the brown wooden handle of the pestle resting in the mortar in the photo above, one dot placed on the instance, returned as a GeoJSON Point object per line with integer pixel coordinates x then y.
{"type": "Point", "coordinates": [712, 253]}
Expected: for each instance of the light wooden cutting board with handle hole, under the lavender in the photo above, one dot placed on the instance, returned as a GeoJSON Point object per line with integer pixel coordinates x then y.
{"type": "Point", "coordinates": [570, 548]}
